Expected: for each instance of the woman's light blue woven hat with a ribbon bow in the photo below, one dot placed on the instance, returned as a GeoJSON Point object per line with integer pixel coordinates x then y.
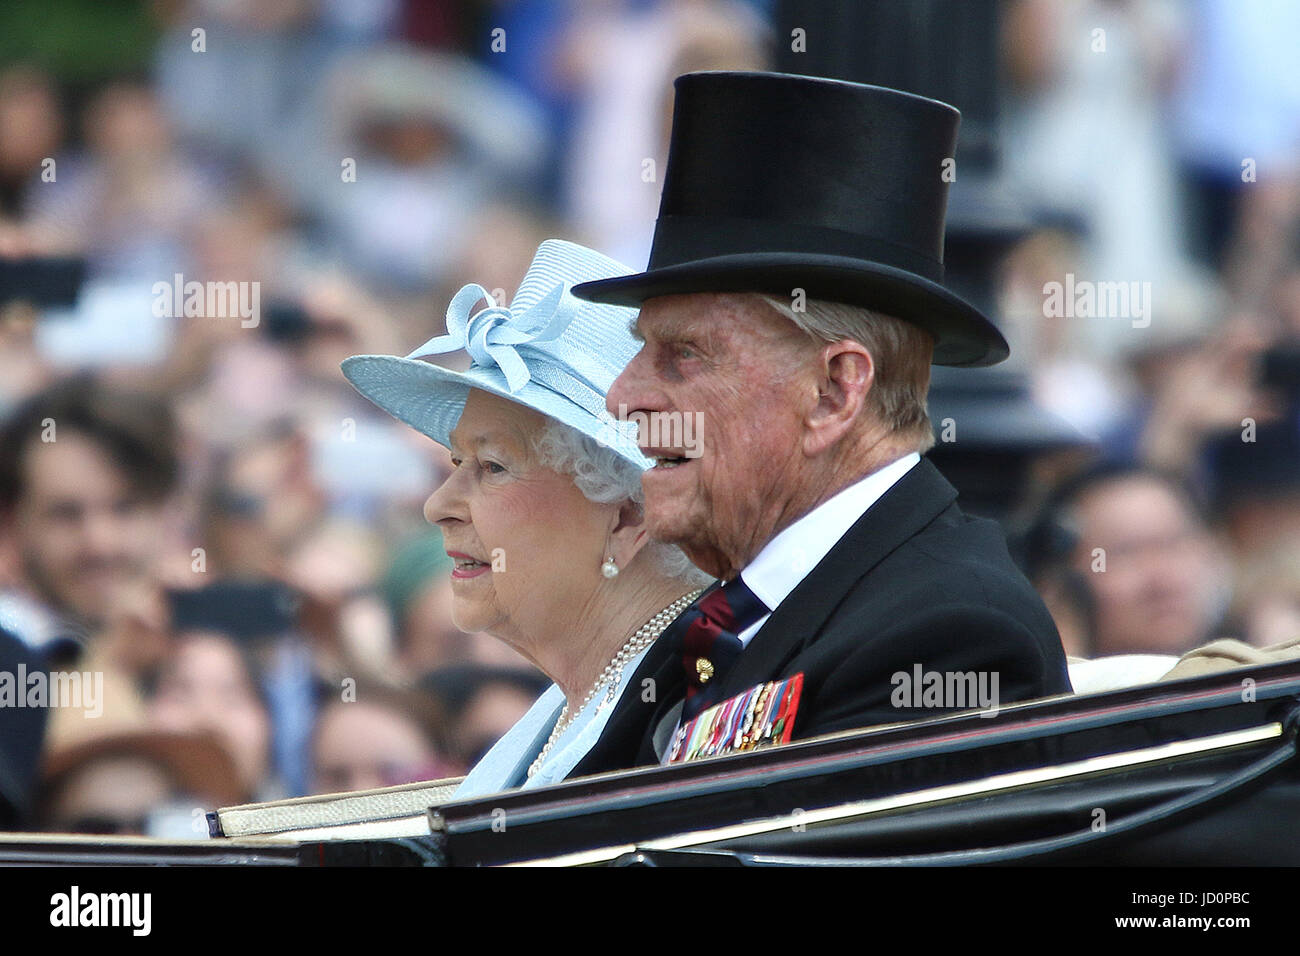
{"type": "Point", "coordinates": [549, 352]}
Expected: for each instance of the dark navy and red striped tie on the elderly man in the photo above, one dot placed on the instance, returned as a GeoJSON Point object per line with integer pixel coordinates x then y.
{"type": "Point", "coordinates": [705, 637]}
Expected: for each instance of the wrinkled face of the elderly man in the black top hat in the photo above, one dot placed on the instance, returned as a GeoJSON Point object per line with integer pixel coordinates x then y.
{"type": "Point", "coordinates": [743, 374]}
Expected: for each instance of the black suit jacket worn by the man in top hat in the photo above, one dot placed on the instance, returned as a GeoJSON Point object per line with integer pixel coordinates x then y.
{"type": "Point", "coordinates": [913, 582]}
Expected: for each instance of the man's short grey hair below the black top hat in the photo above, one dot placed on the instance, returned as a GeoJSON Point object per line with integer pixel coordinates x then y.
{"type": "Point", "coordinates": [900, 351]}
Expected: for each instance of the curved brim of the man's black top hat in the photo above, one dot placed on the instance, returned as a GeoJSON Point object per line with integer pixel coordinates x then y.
{"type": "Point", "coordinates": [964, 336]}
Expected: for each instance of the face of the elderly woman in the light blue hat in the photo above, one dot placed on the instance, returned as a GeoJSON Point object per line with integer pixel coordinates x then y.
{"type": "Point", "coordinates": [528, 546]}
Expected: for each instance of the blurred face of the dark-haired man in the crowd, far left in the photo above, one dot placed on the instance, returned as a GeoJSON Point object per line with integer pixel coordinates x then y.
{"type": "Point", "coordinates": [81, 533]}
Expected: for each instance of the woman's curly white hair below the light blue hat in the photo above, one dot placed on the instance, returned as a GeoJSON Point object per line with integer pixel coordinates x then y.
{"type": "Point", "coordinates": [608, 478]}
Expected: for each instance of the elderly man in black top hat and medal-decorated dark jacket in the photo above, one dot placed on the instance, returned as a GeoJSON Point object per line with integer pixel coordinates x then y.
{"type": "Point", "coordinates": [791, 313]}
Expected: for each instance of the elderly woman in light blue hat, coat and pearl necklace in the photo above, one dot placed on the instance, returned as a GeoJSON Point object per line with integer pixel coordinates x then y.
{"type": "Point", "coordinates": [544, 511]}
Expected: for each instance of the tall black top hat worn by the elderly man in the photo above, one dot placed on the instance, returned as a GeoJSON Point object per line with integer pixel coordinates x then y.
{"type": "Point", "coordinates": [779, 183]}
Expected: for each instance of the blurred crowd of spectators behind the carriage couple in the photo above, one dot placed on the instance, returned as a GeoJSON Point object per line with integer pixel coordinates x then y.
{"type": "Point", "coordinates": [235, 539]}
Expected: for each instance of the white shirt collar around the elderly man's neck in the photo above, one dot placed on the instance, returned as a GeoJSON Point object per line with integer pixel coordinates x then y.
{"type": "Point", "coordinates": [788, 559]}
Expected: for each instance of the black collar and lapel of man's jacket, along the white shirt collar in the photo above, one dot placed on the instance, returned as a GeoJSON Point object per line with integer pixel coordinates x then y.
{"type": "Point", "coordinates": [911, 504]}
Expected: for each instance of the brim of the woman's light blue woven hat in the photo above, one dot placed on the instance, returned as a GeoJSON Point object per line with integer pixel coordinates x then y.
{"type": "Point", "coordinates": [431, 399]}
